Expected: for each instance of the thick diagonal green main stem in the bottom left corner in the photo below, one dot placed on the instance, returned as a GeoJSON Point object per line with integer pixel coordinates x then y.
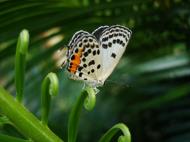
{"type": "Point", "coordinates": [25, 121]}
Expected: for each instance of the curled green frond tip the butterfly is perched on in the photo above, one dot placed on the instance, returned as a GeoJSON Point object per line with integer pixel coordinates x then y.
{"type": "Point", "coordinates": [86, 98]}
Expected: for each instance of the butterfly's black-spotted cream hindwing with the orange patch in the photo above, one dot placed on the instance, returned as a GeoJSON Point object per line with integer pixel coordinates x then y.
{"type": "Point", "coordinates": [84, 60]}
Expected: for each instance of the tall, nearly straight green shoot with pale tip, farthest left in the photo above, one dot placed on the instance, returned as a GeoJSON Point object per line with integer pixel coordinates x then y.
{"type": "Point", "coordinates": [20, 63]}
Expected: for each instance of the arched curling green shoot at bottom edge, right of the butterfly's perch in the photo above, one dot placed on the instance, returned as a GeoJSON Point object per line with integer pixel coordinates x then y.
{"type": "Point", "coordinates": [126, 137]}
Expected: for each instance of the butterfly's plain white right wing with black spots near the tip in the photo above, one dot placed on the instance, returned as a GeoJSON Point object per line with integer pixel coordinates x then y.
{"type": "Point", "coordinates": [113, 43]}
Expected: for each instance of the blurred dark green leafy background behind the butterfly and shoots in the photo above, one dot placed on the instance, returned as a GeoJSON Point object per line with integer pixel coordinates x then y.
{"type": "Point", "coordinates": [148, 91]}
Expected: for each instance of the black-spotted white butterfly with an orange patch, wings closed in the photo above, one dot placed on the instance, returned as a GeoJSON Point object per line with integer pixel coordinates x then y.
{"type": "Point", "coordinates": [92, 57]}
